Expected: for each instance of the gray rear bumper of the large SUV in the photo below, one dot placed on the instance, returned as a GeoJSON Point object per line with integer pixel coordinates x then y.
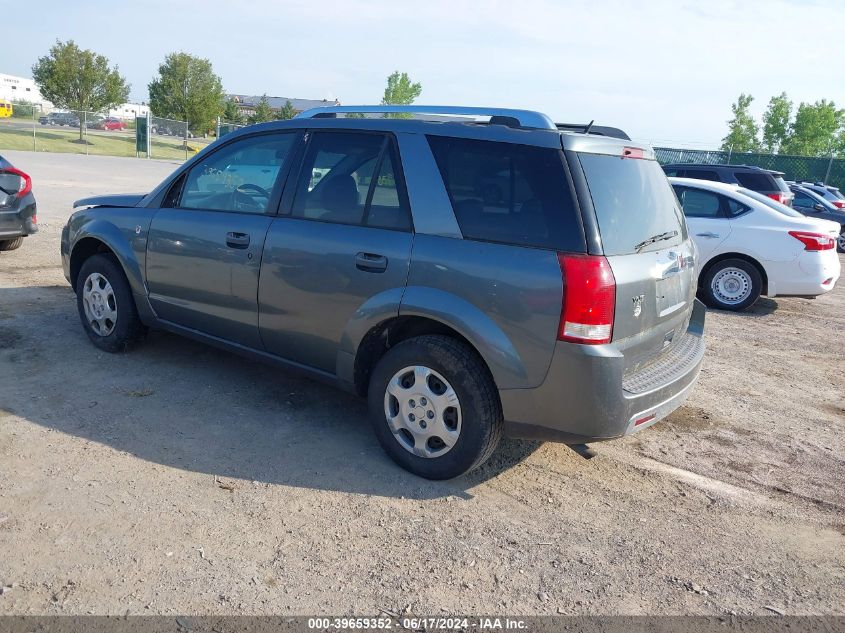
{"type": "Point", "coordinates": [586, 397]}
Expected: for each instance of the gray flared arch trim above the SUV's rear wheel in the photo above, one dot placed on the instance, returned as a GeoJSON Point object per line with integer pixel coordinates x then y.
{"type": "Point", "coordinates": [505, 363]}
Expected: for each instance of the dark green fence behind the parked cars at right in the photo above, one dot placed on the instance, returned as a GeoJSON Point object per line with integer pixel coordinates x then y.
{"type": "Point", "coordinates": [815, 169]}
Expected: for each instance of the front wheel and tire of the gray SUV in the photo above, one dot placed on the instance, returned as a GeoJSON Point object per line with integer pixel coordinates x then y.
{"type": "Point", "coordinates": [110, 318]}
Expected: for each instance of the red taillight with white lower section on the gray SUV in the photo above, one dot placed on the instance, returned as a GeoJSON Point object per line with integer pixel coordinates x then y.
{"type": "Point", "coordinates": [589, 299]}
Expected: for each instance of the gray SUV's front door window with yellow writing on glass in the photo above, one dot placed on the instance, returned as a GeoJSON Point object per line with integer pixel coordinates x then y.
{"type": "Point", "coordinates": [238, 177]}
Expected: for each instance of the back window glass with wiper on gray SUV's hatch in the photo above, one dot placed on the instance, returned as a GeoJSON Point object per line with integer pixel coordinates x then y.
{"type": "Point", "coordinates": [633, 202]}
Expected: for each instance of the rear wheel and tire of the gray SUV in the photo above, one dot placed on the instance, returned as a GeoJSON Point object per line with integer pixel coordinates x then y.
{"type": "Point", "coordinates": [456, 376]}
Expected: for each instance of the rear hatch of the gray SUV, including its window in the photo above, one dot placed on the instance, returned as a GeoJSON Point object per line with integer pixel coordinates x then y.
{"type": "Point", "coordinates": [644, 238]}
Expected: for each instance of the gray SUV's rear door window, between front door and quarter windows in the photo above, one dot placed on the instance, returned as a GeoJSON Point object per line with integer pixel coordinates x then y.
{"type": "Point", "coordinates": [338, 182]}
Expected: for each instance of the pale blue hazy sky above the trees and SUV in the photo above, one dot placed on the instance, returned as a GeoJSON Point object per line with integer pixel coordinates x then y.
{"type": "Point", "coordinates": [666, 71]}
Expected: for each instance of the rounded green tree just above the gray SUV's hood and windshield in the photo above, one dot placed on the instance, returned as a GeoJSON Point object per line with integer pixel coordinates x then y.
{"type": "Point", "coordinates": [188, 90]}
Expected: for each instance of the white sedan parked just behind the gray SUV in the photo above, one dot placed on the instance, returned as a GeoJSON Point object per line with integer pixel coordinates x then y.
{"type": "Point", "coordinates": [750, 245]}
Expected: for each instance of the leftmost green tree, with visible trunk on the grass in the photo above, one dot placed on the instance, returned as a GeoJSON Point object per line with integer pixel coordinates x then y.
{"type": "Point", "coordinates": [81, 80]}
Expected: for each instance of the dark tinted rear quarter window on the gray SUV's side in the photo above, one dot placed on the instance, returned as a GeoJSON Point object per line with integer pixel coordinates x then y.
{"type": "Point", "coordinates": [508, 193]}
